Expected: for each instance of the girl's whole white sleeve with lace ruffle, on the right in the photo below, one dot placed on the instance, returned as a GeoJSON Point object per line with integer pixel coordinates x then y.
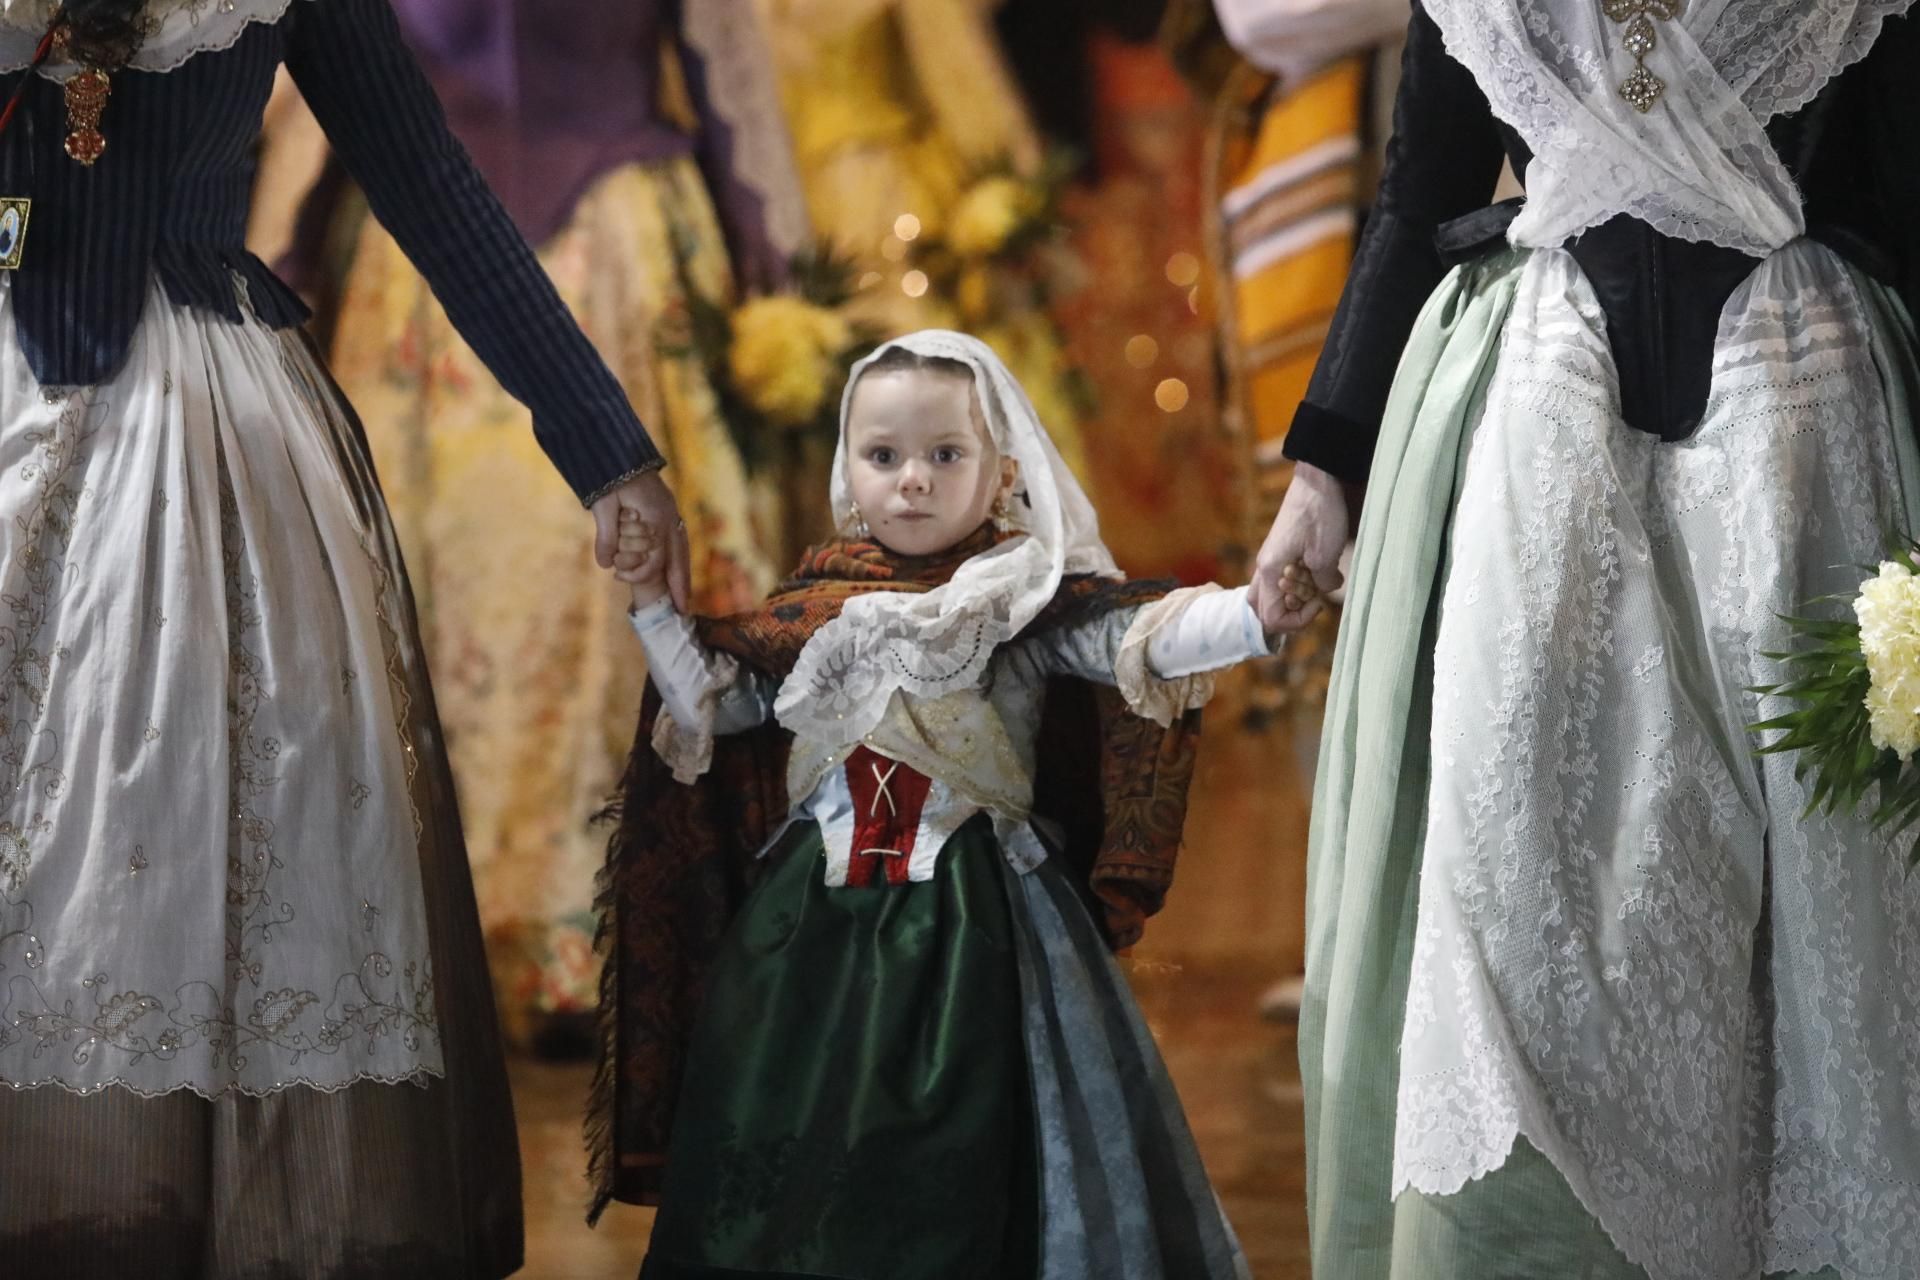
{"type": "Point", "coordinates": [1163, 657]}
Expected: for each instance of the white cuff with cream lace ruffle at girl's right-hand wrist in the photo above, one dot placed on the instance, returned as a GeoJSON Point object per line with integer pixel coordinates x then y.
{"type": "Point", "coordinates": [1164, 638]}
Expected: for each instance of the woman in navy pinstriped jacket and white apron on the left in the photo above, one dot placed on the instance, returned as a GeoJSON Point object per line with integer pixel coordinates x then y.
{"type": "Point", "coordinates": [245, 1018]}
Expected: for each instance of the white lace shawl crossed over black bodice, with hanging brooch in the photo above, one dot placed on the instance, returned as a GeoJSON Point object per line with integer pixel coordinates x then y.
{"type": "Point", "coordinates": [1698, 164]}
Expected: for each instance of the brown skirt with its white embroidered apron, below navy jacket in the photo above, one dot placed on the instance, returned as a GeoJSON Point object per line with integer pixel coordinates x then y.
{"type": "Point", "coordinates": [245, 1020]}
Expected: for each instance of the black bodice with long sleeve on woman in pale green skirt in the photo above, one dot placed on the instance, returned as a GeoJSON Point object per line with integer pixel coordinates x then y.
{"type": "Point", "coordinates": [1854, 151]}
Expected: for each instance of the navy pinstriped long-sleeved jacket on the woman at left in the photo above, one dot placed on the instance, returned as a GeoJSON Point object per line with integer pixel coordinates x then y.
{"type": "Point", "coordinates": [170, 201]}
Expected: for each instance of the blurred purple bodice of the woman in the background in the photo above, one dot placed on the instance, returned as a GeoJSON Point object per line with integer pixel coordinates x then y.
{"type": "Point", "coordinates": [548, 95]}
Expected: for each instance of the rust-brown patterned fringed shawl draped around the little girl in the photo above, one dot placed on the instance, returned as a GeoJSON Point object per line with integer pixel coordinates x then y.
{"type": "Point", "coordinates": [683, 859]}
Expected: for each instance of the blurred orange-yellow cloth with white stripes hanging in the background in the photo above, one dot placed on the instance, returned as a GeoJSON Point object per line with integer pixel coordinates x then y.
{"type": "Point", "coordinates": [1289, 193]}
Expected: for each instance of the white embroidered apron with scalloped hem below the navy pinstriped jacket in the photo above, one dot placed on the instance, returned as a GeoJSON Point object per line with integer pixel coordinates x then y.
{"type": "Point", "coordinates": [208, 811]}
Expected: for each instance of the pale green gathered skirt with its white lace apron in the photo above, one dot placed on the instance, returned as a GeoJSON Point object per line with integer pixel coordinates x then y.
{"type": "Point", "coordinates": [1589, 993]}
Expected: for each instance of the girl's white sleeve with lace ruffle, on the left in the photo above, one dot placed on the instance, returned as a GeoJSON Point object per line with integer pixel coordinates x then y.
{"type": "Point", "coordinates": [704, 694]}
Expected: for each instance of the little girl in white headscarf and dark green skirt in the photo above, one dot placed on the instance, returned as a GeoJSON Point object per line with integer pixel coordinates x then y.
{"type": "Point", "coordinates": [876, 845]}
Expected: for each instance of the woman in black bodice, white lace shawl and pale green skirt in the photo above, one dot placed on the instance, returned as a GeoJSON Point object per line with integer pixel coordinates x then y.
{"type": "Point", "coordinates": [1589, 993]}
